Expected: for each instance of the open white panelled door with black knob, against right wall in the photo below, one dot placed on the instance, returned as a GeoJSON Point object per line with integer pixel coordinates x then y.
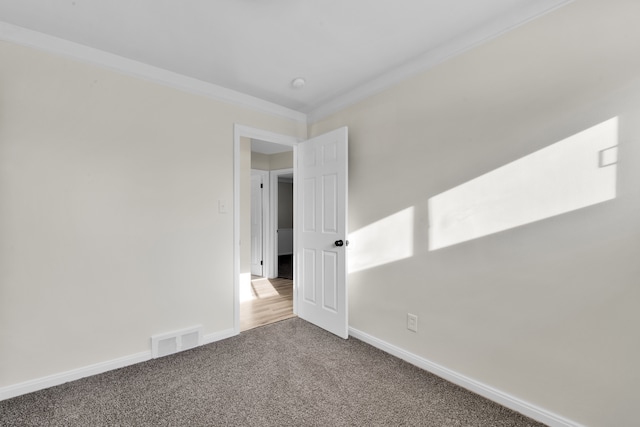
{"type": "Point", "coordinates": [321, 235]}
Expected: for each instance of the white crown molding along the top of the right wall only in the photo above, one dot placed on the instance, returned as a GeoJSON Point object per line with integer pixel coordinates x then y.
{"type": "Point", "coordinates": [433, 58]}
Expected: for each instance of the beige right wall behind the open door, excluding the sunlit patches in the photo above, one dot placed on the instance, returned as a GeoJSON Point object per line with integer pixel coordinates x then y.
{"type": "Point", "coordinates": [547, 312]}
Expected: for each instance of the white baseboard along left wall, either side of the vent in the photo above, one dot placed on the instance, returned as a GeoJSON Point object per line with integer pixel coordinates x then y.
{"type": "Point", "coordinates": [75, 374]}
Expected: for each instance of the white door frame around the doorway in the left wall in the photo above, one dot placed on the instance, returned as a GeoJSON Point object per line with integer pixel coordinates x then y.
{"type": "Point", "coordinates": [240, 131]}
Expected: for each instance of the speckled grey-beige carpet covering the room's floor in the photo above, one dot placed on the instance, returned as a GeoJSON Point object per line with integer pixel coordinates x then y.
{"type": "Point", "coordinates": [288, 373]}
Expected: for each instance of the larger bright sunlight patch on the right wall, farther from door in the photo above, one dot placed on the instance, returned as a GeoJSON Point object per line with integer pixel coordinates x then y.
{"type": "Point", "coordinates": [574, 173]}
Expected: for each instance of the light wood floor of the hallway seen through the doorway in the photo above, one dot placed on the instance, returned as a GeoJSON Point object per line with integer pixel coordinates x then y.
{"type": "Point", "coordinates": [272, 300]}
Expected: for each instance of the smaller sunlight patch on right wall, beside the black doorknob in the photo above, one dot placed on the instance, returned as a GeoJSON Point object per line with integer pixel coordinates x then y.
{"type": "Point", "coordinates": [387, 240]}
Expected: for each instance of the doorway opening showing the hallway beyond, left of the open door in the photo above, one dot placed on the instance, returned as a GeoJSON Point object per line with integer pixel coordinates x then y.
{"type": "Point", "coordinates": [265, 283]}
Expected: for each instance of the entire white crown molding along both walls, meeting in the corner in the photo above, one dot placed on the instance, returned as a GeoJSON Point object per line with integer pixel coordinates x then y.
{"type": "Point", "coordinates": [469, 40]}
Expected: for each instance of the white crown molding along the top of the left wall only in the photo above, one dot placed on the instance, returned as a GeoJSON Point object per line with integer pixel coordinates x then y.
{"type": "Point", "coordinates": [22, 36]}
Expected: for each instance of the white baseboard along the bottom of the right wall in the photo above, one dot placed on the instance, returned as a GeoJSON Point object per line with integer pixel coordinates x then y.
{"type": "Point", "coordinates": [504, 399]}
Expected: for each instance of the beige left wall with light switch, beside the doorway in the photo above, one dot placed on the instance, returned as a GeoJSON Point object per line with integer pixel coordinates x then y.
{"type": "Point", "coordinates": [109, 189]}
